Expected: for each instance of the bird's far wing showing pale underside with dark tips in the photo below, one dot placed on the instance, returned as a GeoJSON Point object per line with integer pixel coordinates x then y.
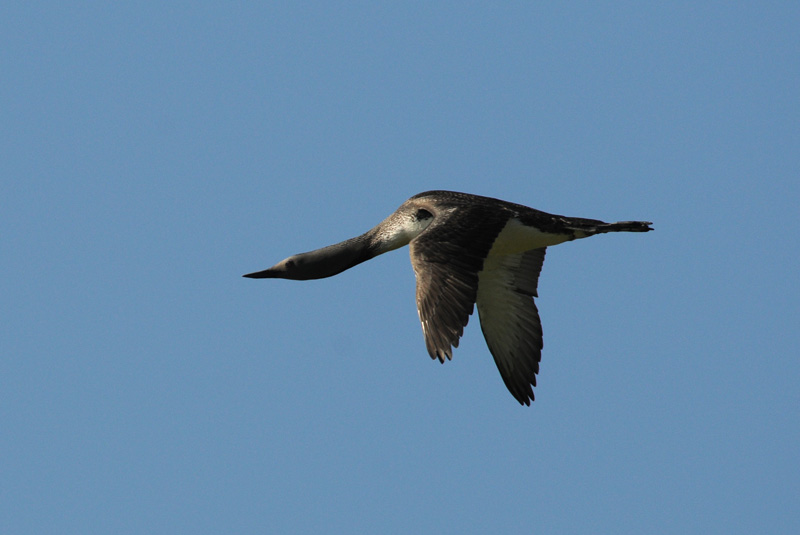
{"type": "Point", "coordinates": [510, 320]}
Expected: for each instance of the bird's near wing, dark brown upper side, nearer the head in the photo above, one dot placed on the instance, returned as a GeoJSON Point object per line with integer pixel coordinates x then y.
{"type": "Point", "coordinates": [446, 258]}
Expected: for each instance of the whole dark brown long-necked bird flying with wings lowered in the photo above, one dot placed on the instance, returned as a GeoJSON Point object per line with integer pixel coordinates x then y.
{"type": "Point", "coordinates": [466, 250]}
